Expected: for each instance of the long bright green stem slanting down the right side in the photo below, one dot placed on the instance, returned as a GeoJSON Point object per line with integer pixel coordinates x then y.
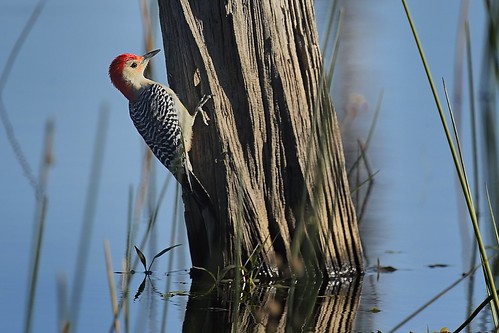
{"type": "Point", "coordinates": [489, 278]}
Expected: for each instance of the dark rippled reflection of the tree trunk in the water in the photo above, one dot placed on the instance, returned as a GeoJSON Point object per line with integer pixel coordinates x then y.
{"type": "Point", "coordinates": [295, 308]}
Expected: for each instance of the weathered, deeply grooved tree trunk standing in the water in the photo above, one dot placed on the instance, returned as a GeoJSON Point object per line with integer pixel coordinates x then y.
{"type": "Point", "coordinates": [271, 157]}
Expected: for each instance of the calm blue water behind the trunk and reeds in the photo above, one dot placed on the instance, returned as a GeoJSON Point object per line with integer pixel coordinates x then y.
{"type": "Point", "coordinates": [61, 74]}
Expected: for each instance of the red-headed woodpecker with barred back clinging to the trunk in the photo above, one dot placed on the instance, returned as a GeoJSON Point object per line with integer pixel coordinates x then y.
{"type": "Point", "coordinates": [160, 117]}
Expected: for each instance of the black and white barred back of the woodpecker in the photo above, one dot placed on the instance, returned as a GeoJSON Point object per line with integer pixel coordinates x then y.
{"type": "Point", "coordinates": [153, 114]}
